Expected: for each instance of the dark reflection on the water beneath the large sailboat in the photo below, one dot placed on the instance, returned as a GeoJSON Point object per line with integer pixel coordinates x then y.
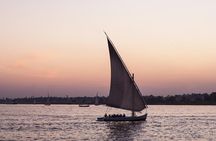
{"type": "Point", "coordinates": [123, 131]}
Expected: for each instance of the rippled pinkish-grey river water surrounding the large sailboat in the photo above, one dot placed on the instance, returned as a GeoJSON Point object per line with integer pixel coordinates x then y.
{"type": "Point", "coordinates": [71, 122]}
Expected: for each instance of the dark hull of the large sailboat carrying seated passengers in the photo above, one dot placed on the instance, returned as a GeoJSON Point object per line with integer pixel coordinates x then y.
{"type": "Point", "coordinates": [135, 118]}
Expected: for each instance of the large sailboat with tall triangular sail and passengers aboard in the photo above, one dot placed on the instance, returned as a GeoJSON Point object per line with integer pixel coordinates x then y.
{"type": "Point", "coordinates": [124, 92]}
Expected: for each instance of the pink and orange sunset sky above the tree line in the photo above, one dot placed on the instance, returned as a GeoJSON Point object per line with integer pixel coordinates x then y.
{"type": "Point", "coordinates": [58, 46]}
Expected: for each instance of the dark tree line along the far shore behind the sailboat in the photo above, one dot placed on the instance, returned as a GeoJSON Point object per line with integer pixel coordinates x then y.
{"type": "Point", "coordinates": [185, 99]}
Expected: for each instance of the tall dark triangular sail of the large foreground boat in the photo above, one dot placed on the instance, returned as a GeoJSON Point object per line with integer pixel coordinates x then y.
{"type": "Point", "coordinates": [124, 92]}
